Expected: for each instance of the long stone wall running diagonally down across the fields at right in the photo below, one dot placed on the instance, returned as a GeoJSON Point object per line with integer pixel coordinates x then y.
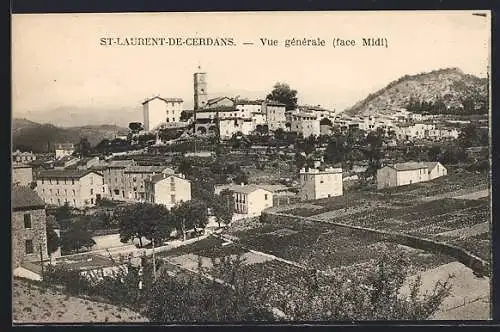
{"type": "Point", "coordinates": [465, 257]}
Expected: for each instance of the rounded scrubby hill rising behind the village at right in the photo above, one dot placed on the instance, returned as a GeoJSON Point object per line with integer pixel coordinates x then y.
{"type": "Point", "coordinates": [450, 90]}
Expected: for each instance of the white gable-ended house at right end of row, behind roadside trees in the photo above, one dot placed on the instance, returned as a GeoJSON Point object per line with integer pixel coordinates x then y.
{"type": "Point", "coordinates": [167, 189]}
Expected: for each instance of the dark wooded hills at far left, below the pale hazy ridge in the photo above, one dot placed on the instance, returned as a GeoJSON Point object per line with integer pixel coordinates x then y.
{"type": "Point", "coordinates": [31, 136]}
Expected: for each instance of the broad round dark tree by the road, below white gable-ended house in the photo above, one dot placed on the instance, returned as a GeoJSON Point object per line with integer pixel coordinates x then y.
{"type": "Point", "coordinates": [151, 221]}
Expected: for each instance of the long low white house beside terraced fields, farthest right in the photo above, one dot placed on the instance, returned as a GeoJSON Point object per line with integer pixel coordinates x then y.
{"type": "Point", "coordinates": [408, 173]}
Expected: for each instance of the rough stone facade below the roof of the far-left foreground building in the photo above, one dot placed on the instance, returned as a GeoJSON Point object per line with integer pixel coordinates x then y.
{"type": "Point", "coordinates": [37, 233]}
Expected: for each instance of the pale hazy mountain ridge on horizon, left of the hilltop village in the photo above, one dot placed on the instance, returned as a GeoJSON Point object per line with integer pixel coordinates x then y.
{"type": "Point", "coordinates": [76, 116]}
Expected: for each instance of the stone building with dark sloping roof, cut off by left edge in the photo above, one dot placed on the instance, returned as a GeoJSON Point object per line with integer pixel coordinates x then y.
{"type": "Point", "coordinates": [28, 222]}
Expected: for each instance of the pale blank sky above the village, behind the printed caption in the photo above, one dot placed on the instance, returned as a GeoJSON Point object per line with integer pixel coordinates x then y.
{"type": "Point", "coordinates": [57, 60]}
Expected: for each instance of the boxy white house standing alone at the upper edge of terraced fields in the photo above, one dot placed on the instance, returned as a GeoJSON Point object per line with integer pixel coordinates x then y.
{"type": "Point", "coordinates": [318, 183]}
